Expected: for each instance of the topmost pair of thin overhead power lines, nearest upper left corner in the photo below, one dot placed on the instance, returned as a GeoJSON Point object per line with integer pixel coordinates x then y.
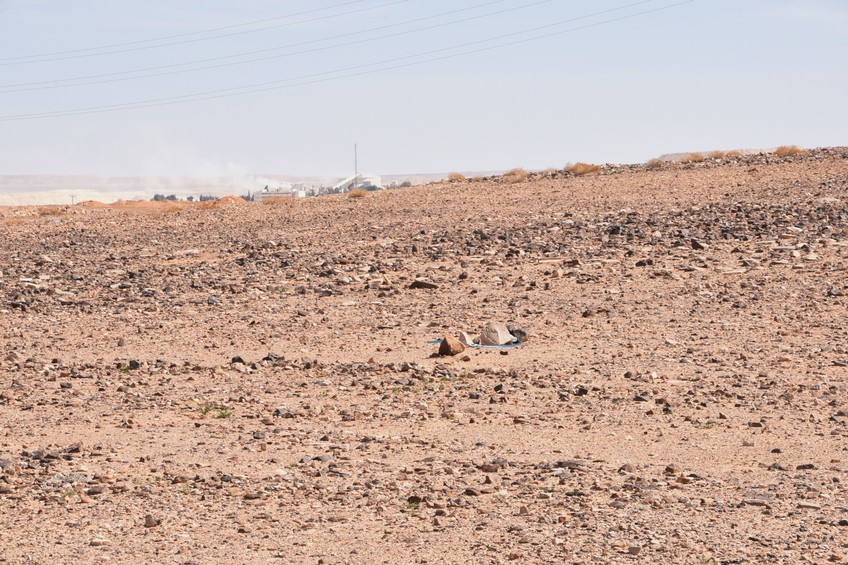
{"type": "Point", "coordinates": [131, 46]}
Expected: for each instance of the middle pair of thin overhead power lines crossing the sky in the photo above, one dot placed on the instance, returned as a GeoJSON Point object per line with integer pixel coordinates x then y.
{"type": "Point", "coordinates": [112, 77]}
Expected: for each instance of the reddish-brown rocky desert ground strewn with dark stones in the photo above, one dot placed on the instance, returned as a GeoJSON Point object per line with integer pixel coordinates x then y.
{"type": "Point", "coordinates": [237, 382]}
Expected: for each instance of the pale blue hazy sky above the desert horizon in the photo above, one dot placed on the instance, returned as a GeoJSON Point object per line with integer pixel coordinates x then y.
{"type": "Point", "coordinates": [704, 74]}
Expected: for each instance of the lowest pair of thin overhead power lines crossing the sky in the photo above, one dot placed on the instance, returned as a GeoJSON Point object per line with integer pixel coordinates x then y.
{"type": "Point", "coordinates": [349, 72]}
